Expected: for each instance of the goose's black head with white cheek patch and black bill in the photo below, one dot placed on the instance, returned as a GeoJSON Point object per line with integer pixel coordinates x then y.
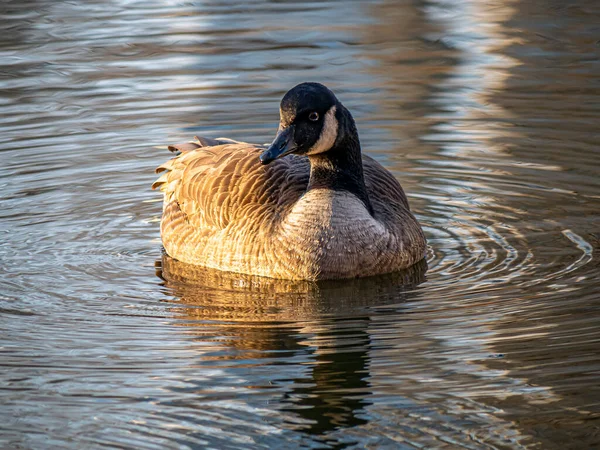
{"type": "Point", "coordinates": [308, 122]}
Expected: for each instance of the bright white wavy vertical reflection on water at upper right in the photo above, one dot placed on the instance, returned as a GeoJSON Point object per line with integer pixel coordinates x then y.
{"type": "Point", "coordinates": [478, 31]}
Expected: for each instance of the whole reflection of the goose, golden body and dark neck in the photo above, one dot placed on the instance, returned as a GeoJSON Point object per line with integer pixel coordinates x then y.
{"type": "Point", "coordinates": [323, 327]}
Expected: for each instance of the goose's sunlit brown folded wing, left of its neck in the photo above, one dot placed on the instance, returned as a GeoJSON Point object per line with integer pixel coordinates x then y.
{"type": "Point", "coordinates": [225, 187]}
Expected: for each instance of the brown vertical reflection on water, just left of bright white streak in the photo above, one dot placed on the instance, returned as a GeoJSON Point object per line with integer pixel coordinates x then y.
{"type": "Point", "coordinates": [407, 65]}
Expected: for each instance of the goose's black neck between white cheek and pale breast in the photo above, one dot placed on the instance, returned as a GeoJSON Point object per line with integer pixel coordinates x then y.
{"type": "Point", "coordinates": [340, 168]}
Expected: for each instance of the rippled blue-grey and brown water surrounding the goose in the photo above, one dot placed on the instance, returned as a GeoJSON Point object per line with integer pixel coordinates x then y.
{"type": "Point", "coordinates": [487, 111]}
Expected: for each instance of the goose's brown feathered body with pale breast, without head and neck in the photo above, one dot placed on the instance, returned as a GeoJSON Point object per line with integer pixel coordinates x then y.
{"type": "Point", "coordinates": [224, 210]}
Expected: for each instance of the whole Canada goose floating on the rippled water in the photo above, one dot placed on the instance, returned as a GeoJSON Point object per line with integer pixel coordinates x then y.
{"type": "Point", "coordinates": [322, 212]}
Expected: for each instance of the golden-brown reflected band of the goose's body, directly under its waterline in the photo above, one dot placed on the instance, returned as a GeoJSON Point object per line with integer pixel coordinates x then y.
{"type": "Point", "coordinates": [207, 294]}
